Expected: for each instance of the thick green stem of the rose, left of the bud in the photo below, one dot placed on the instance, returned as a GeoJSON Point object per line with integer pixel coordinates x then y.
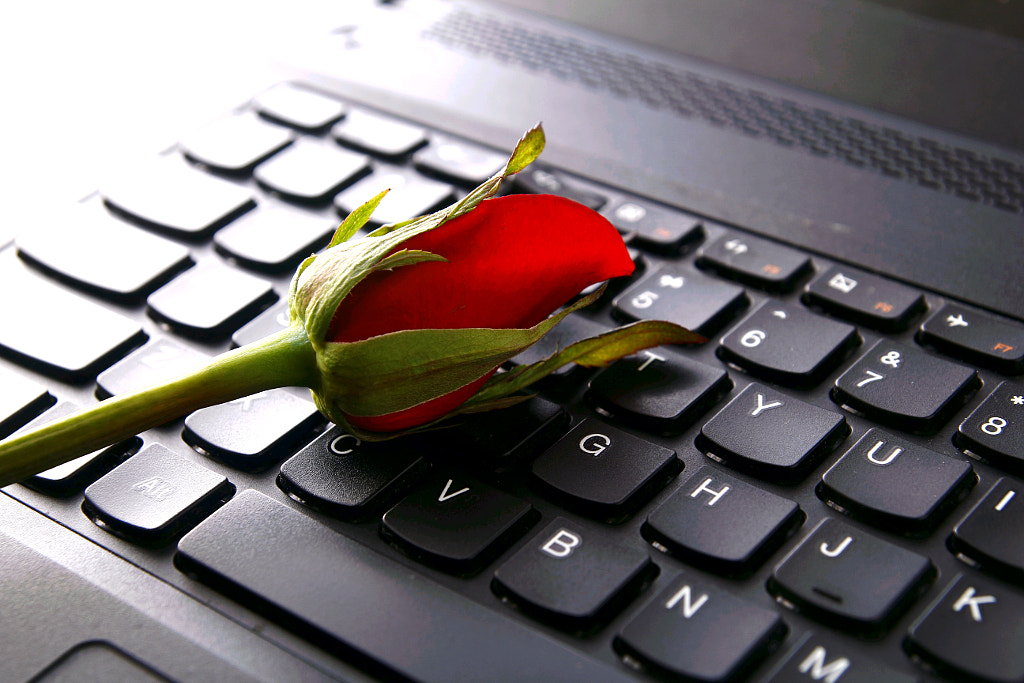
{"type": "Point", "coordinates": [286, 359]}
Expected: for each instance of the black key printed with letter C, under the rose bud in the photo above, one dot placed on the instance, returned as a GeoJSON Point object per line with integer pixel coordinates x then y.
{"type": "Point", "coordinates": [349, 479]}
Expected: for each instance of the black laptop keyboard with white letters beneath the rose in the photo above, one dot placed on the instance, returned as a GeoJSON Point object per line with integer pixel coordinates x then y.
{"type": "Point", "coordinates": [825, 489]}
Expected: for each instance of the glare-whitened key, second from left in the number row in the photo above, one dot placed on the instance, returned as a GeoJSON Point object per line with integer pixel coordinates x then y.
{"type": "Point", "coordinates": [310, 172]}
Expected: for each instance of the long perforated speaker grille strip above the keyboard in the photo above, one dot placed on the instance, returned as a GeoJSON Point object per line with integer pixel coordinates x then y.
{"type": "Point", "coordinates": [659, 86]}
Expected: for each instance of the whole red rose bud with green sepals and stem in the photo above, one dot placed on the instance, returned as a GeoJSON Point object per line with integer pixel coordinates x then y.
{"type": "Point", "coordinates": [402, 329]}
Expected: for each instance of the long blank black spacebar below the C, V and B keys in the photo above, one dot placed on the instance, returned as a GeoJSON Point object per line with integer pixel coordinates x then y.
{"type": "Point", "coordinates": [348, 593]}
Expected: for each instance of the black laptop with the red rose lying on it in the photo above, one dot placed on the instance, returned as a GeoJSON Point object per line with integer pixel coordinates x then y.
{"type": "Point", "coordinates": [827, 490]}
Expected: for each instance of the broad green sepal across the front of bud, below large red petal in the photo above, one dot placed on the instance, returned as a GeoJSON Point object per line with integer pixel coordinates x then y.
{"type": "Point", "coordinates": [401, 370]}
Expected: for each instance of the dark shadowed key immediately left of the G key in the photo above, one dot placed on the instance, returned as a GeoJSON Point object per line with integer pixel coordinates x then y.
{"type": "Point", "coordinates": [497, 442]}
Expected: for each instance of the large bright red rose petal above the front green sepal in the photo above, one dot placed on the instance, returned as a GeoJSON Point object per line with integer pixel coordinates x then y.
{"type": "Point", "coordinates": [513, 262]}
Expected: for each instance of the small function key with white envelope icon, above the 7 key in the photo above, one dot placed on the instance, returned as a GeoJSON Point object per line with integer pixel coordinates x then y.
{"type": "Point", "coordinates": [867, 300]}
